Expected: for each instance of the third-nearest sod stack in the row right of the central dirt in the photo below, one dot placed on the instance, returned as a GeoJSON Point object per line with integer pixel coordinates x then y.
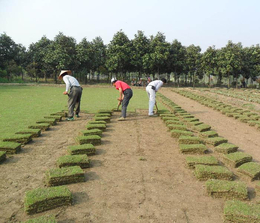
{"type": "Point", "coordinates": [204, 172]}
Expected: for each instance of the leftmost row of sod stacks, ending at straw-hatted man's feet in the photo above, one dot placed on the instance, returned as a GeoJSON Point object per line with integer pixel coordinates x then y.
{"type": "Point", "coordinates": [14, 143]}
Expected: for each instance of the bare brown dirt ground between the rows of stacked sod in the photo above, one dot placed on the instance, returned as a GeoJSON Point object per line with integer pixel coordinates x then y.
{"type": "Point", "coordinates": [137, 175]}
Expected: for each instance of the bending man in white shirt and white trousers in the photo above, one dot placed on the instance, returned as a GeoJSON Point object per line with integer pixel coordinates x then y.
{"type": "Point", "coordinates": [151, 90]}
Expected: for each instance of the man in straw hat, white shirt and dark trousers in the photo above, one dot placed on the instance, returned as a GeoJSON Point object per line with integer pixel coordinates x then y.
{"type": "Point", "coordinates": [74, 91]}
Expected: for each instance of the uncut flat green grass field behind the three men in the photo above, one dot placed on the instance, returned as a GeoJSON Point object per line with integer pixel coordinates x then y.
{"type": "Point", "coordinates": [22, 106]}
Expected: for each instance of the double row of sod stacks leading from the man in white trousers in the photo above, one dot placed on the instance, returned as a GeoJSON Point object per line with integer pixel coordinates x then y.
{"type": "Point", "coordinates": [215, 161]}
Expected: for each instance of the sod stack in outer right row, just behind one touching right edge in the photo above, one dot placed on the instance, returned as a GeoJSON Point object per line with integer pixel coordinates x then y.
{"type": "Point", "coordinates": [236, 159]}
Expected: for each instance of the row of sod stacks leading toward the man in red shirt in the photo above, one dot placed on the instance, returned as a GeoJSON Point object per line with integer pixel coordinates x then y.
{"type": "Point", "coordinates": [69, 170]}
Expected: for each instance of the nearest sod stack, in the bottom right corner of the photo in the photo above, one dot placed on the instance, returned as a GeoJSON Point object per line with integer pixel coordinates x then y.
{"type": "Point", "coordinates": [238, 211]}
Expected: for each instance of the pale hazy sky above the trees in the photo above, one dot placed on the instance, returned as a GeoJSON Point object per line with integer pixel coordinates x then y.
{"type": "Point", "coordinates": [203, 23]}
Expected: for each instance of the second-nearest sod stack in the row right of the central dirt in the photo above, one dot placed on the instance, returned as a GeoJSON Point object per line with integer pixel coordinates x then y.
{"type": "Point", "coordinates": [227, 189]}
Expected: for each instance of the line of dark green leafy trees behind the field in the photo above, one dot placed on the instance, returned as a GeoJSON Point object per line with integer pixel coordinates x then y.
{"type": "Point", "coordinates": [122, 57]}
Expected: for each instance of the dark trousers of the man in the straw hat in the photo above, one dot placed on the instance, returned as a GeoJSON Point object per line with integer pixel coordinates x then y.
{"type": "Point", "coordinates": [74, 101]}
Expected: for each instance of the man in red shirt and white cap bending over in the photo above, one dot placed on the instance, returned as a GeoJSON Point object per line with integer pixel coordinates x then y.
{"type": "Point", "coordinates": [125, 94]}
